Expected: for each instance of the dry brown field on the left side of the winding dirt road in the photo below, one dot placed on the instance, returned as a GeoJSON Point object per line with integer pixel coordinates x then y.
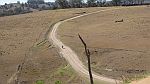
{"type": "Point", "coordinates": [23, 40]}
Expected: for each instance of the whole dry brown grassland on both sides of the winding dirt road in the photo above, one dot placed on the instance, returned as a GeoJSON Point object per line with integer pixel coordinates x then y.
{"type": "Point", "coordinates": [118, 49]}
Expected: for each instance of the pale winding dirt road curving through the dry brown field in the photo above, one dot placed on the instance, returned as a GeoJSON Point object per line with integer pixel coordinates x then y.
{"type": "Point", "coordinates": [71, 56]}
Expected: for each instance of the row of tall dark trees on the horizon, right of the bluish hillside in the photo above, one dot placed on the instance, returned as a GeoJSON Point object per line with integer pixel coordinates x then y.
{"type": "Point", "coordinates": [96, 3]}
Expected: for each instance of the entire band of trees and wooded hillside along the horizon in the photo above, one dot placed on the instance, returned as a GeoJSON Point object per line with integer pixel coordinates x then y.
{"type": "Point", "coordinates": [19, 8]}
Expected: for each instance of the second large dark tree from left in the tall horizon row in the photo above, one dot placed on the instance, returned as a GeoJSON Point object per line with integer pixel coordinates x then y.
{"type": "Point", "coordinates": [76, 3]}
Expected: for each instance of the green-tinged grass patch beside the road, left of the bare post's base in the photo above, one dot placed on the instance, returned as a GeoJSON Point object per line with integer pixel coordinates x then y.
{"type": "Point", "coordinates": [65, 72]}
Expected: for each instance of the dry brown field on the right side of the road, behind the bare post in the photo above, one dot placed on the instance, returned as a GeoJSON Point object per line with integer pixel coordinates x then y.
{"type": "Point", "coordinates": [118, 49]}
